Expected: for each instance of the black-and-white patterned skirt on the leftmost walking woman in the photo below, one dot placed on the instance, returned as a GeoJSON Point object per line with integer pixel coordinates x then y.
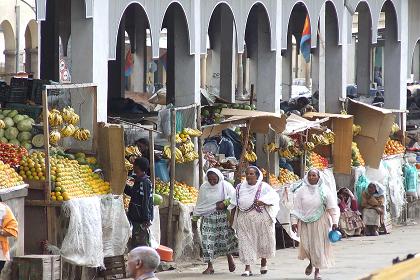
{"type": "Point", "coordinates": [218, 238]}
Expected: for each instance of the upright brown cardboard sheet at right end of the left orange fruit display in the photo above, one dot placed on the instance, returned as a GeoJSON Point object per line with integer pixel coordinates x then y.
{"type": "Point", "coordinates": [111, 155]}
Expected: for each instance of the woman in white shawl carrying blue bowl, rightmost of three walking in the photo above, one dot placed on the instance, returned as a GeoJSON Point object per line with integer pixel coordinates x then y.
{"type": "Point", "coordinates": [314, 213]}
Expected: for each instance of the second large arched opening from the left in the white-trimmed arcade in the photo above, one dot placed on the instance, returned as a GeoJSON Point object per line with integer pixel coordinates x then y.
{"type": "Point", "coordinates": [180, 65]}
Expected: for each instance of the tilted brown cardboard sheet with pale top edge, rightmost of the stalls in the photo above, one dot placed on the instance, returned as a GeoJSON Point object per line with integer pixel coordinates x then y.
{"type": "Point", "coordinates": [376, 126]}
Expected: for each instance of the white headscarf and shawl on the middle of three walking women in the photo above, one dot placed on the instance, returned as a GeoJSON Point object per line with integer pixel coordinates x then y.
{"type": "Point", "coordinates": [247, 194]}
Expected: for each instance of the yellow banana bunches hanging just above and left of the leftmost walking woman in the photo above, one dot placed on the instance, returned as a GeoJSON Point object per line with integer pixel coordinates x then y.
{"type": "Point", "coordinates": [185, 150]}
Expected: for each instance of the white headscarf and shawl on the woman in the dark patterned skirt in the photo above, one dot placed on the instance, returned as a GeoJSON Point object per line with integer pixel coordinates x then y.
{"type": "Point", "coordinates": [209, 195]}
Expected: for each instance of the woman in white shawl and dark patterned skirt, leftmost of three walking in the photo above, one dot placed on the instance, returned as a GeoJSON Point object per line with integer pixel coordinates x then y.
{"type": "Point", "coordinates": [218, 238]}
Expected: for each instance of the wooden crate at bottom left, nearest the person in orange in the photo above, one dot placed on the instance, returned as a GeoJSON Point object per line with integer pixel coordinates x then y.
{"type": "Point", "coordinates": [37, 267]}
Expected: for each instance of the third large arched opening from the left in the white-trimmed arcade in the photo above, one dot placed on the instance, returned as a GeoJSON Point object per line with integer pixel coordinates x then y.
{"type": "Point", "coordinates": [221, 54]}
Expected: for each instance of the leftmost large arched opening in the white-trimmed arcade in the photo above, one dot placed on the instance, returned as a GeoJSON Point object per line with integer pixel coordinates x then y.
{"type": "Point", "coordinates": [127, 74]}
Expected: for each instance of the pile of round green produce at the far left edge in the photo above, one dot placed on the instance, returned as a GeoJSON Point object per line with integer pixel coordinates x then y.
{"type": "Point", "coordinates": [16, 129]}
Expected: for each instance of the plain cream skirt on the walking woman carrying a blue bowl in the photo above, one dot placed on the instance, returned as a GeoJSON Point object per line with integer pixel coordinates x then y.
{"type": "Point", "coordinates": [314, 243]}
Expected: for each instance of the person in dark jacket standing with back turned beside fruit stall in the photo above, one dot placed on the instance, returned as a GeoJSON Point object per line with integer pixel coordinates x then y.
{"type": "Point", "coordinates": [140, 209]}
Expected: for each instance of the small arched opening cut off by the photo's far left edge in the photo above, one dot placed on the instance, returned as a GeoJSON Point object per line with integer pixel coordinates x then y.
{"type": "Point", "coordinates": [9, 49]}
